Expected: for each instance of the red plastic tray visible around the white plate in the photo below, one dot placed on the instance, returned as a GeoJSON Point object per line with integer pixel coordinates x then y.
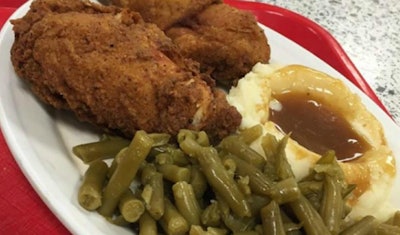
{"type": "Point", "coordinates": [23, 212]}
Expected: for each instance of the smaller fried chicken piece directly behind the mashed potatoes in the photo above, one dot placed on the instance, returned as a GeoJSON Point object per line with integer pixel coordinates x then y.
{"type": "Point", "coordinates": [225, 40]}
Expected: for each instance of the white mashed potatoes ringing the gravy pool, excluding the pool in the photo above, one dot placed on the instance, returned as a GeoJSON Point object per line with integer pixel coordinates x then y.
{"type": "Point", "coordinates": [372, 171]}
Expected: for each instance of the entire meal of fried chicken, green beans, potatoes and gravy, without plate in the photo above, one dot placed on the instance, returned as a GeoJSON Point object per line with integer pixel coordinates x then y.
{"type": "Point", "coordinates": [304, 150]}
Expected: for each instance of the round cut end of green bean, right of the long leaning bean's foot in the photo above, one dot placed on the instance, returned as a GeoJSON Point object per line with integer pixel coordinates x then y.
{"type": "Point", "coordinates": [131, 207]}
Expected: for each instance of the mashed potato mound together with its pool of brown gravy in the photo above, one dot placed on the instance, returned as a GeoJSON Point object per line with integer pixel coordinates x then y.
{"type": "Point", "coordinates": [364, 156]}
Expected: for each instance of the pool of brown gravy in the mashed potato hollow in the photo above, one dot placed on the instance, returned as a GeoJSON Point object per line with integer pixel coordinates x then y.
{"type": "Point", "coordinates": [317, 127]}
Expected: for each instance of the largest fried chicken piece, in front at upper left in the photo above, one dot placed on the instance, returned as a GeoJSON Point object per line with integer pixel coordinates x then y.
{"type": "Point", "coordinates": [115, 71]}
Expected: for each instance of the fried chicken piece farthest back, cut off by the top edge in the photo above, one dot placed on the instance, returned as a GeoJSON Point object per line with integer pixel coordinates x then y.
{"type": "Point", "coordinates": [165, 13]}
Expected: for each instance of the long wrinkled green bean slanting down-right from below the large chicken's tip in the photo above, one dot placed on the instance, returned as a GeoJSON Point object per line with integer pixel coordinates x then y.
{"type": "Point", "coordinates": [217, 176]}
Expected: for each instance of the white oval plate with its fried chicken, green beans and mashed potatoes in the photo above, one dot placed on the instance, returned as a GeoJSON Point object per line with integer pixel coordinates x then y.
{"type": "Point", "coordinates": [78, 57]}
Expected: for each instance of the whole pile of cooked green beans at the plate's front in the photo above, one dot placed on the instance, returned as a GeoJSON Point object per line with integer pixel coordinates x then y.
{"type": "Point", "coordinates": [157, 184]}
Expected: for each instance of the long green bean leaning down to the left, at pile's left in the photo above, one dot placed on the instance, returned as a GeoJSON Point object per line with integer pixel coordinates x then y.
{"type": "Point", "coordinates": [125, 172]}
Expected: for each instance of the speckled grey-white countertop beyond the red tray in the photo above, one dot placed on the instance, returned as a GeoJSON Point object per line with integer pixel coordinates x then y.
{"type": "Point", "coordinates": [369, 32]}
